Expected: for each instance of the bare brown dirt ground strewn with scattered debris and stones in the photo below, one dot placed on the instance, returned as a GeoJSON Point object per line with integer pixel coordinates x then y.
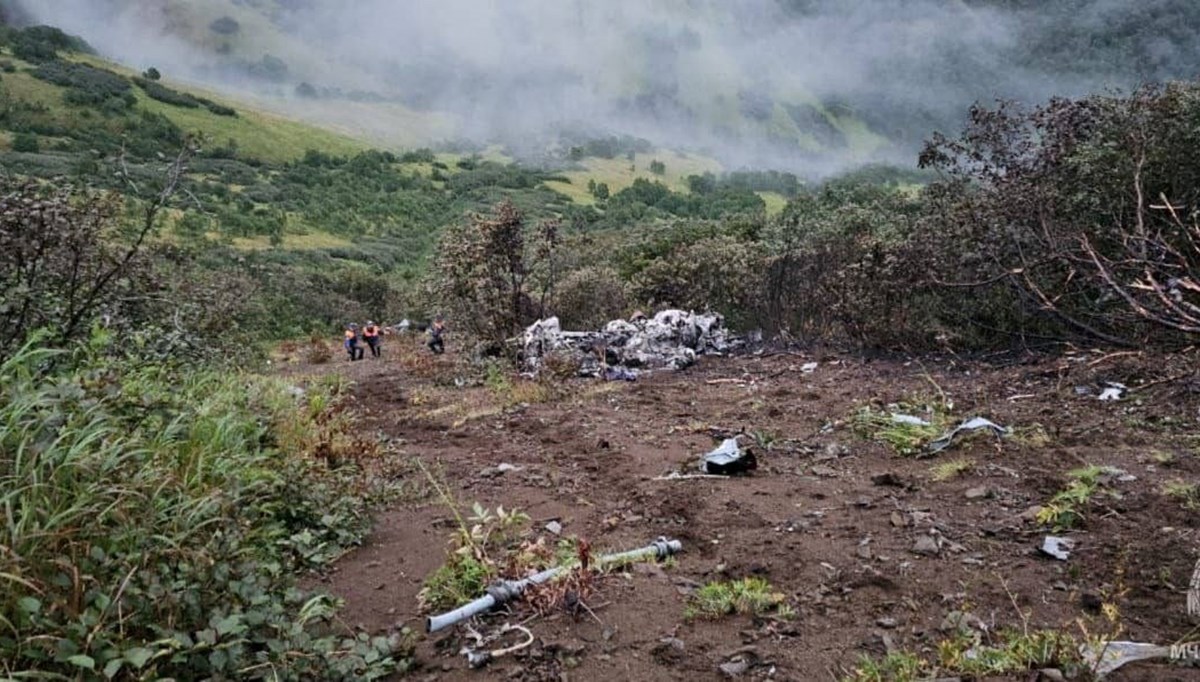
{"type": "Point", "coordinates": [872, 552]}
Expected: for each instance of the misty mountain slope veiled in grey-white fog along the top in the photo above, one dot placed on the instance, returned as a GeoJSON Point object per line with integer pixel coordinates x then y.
{"type": "Point", "coordinates": [811, 86]}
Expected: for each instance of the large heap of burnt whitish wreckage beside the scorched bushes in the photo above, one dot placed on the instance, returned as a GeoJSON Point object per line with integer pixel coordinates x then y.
{"type": "Point", "coordinates": [673, 339]}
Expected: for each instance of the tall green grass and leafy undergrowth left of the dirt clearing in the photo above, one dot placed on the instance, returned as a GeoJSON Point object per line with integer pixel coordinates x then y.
{"type": "Point", "coordinates": [149, 527]}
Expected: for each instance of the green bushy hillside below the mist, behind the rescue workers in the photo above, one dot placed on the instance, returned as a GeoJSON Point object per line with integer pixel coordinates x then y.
{"type": "Point", "coordinates": [301, 208]}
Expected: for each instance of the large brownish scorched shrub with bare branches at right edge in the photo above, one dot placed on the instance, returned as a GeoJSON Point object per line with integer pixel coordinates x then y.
{"type": "Point", "coordinates": [1085, 210]}
